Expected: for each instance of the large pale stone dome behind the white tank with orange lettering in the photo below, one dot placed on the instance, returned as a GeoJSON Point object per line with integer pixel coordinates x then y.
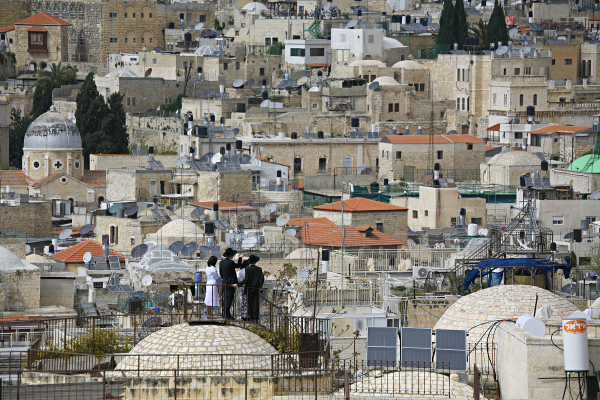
{"type": "Point", "coordinates": [500, 302]}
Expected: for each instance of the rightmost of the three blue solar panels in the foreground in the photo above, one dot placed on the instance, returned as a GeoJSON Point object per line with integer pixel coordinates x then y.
{"type": "Point", "coordinates": [451, 347]}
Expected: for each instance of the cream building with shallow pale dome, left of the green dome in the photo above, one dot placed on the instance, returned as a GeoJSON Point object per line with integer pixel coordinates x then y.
{"type": "Point", "coordinates": [507, 168]}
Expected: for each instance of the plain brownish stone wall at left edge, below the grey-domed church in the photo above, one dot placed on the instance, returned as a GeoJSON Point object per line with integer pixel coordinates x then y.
{"type": "Point", "coordinates": [35, 218]}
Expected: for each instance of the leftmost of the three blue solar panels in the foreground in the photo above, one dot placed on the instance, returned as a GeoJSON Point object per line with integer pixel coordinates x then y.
{"type": "Point", "coordinates": [382, 346]}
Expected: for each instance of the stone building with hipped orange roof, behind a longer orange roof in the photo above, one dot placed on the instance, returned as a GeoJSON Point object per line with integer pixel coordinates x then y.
{"type": "Point", "coordinates": [359, 211]}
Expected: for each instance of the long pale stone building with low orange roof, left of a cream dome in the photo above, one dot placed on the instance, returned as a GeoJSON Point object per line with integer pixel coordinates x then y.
{"type": "Point", "coordinates": [401, 154]}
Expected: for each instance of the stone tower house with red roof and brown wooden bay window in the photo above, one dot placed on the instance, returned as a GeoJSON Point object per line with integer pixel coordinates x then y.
{"type": "Point", "coordinates": [40, 40]}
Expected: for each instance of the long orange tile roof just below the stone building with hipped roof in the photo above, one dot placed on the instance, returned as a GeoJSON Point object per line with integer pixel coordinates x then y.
{"type": "Point", "coordinates": [331, 236]}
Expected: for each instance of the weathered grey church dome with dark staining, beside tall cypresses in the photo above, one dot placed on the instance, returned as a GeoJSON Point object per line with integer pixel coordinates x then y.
{"type": "Point", "coordinates": [52, 130]}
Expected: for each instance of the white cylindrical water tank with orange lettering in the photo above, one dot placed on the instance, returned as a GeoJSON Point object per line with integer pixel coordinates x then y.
{"type": "Point", "coordinates": [575, 344]}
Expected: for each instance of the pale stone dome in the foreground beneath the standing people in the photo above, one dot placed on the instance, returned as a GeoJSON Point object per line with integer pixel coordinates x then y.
{"type": "Point", "coordinates": [200, 340]}
